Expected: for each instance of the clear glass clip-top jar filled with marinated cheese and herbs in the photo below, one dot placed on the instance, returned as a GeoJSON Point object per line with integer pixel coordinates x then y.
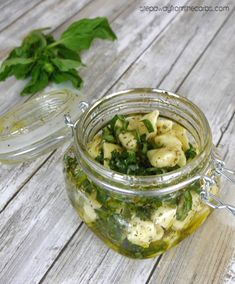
{"type": "Point", "coordinates": [142, 216]}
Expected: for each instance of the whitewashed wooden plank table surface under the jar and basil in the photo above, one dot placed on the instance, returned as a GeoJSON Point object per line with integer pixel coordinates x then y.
{"type": "Point", "coordinates": [42, 240]}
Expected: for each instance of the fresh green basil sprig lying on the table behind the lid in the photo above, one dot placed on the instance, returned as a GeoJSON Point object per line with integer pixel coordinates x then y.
{"type": "Point", "coordinates": [45, 59]}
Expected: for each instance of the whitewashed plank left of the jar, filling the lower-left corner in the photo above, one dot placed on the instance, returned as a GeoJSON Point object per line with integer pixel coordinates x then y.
{"type": "Point", "coordinates": [36, 226]}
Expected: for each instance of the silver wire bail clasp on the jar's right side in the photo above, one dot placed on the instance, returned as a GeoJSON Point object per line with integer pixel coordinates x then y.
{"type": "Point", "coordinates": [210, 199]}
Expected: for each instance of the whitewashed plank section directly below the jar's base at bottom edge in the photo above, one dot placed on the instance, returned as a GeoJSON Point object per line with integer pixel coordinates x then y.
{"type": "Point", "coordinates": [88, 260]}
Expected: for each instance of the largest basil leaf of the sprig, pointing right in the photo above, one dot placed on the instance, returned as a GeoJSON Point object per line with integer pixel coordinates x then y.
{"type": "Point", "coordinates": [80, 34]}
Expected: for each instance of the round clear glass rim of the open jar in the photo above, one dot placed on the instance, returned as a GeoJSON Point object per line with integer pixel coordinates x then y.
{"type": "Point", "coordinates": [125, 184]}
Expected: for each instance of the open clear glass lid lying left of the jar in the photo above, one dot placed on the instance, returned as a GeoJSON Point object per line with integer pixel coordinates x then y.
{"type": "Point", "coordinates": [37, 126]}
